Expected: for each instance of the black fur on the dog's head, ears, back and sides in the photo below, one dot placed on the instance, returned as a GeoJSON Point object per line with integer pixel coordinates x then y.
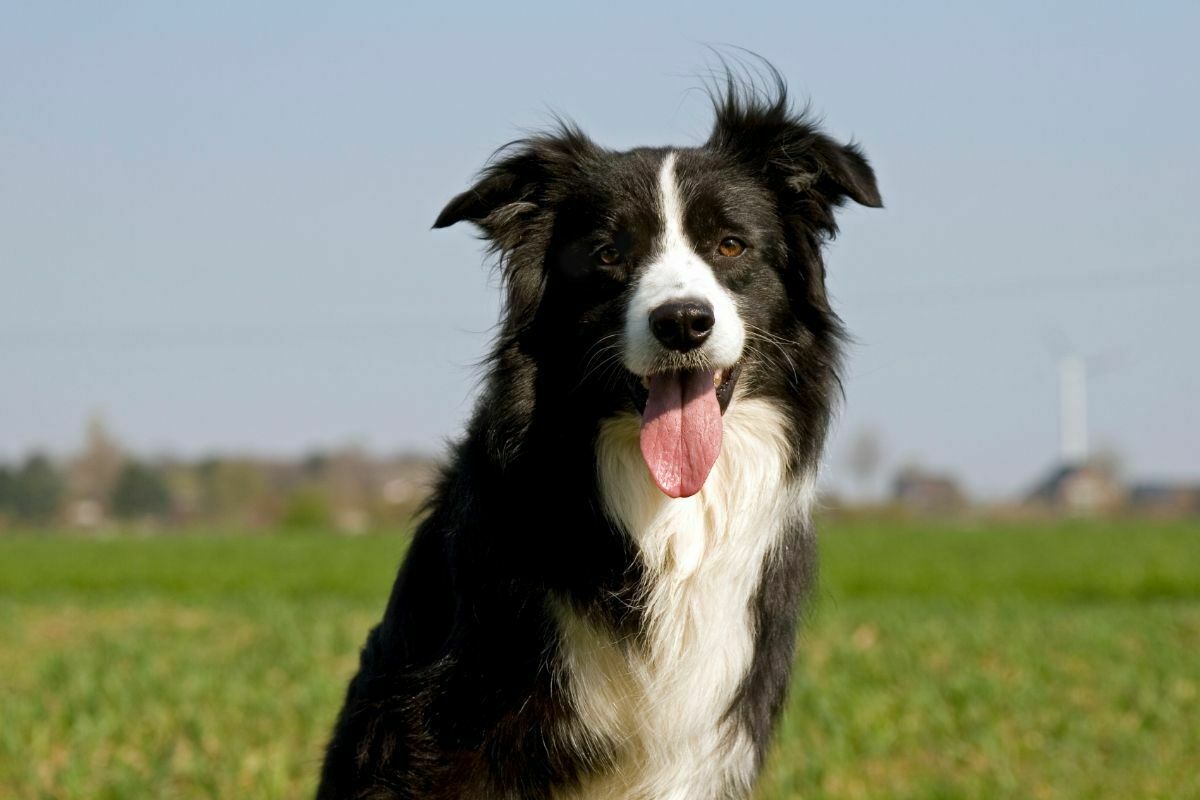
{"type": "Point", "coordinates": [457, 695]}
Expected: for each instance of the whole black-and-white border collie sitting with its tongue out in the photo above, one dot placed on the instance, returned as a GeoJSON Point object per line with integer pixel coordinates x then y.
{"type": "Point", "coordinates": [603, 599]}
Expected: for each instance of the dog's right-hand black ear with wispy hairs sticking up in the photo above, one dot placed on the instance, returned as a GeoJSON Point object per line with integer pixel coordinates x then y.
{"type": "Point", "coordinates": [811, 172]}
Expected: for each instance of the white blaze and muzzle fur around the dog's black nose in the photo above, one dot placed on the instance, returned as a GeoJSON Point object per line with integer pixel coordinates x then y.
{"type": "Point", "coordinates": [676, 274]}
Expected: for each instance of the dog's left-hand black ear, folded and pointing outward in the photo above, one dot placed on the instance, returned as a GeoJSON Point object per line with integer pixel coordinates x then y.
{"type": "Point", "coordinates": [517, 184]}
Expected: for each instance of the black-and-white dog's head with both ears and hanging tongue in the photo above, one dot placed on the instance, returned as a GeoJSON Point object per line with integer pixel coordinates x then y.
{"type": "Point", "coordinates": [664, 282]}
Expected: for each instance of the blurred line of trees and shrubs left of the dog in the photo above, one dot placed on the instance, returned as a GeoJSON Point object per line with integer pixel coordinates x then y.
{"type": "Point", "coordinates": [346, 490]}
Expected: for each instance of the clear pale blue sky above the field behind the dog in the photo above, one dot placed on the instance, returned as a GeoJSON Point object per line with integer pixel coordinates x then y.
{"type": "Point", "coordinates": [215, 220]}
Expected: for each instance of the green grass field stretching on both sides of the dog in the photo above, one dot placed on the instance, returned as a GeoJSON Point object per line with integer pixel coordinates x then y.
{"type": "Point", "coordinates": [939, 661]}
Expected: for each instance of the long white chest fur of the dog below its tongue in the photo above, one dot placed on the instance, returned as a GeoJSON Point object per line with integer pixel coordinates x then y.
{"type": "Point", "coordinates": [663, 703]}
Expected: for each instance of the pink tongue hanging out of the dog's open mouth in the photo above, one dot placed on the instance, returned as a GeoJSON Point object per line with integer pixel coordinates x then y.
{"type": "Point", "coordinates": [681, 431]}
